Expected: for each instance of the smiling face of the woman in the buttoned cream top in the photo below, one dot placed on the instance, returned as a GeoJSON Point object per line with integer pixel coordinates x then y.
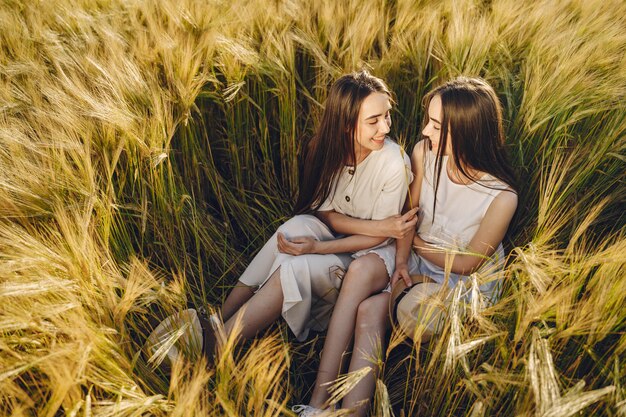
{"type": "Point", "coordinates": [373, 124]}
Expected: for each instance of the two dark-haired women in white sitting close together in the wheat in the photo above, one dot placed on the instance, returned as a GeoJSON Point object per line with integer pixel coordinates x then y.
{"type": "Point", "coordinates": [350, 218]}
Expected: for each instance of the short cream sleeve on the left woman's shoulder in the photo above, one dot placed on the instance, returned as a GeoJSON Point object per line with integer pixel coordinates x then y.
{"type": "Point", "coordinates": [394, 190]}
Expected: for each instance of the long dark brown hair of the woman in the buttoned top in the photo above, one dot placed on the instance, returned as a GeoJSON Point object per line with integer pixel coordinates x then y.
{"type": "Point", "coordinates": [332, 146]}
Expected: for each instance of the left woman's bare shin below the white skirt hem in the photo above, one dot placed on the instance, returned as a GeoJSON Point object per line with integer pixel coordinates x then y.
{"type": "Point", "coordinates": [261, 310]}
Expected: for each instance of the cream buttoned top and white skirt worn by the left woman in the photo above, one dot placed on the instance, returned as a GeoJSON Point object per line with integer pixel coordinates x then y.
{"type": "Point", "coordinates": [376, 189]}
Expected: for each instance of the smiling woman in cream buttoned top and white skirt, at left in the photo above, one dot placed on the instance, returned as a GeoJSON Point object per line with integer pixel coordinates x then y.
{"type": "Point", "coordinates": [350, 167]}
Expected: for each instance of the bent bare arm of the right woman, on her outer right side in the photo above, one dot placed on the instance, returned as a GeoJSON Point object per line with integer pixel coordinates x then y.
{"type": "Point", "coordinates": [484, 243]}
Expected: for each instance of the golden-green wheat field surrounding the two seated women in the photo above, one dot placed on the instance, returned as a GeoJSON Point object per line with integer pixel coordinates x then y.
{"type": "Point", "coordinates": [149, 147]}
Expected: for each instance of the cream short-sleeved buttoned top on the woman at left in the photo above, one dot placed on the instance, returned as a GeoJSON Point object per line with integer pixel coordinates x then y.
{"type": "Point", "coordinates": [376, 188]}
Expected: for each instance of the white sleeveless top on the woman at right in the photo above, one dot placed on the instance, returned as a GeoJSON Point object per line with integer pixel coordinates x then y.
{"type": "Point", "coordinates": [459, 212]}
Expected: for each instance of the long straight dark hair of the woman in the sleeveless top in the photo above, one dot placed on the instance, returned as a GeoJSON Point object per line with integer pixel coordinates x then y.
{"type": "Point", "coordinates": [472, 113]}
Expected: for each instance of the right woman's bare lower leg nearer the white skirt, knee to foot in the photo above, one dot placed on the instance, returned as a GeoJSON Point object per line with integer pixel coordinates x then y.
{"type": "Point", "coordinates": [366, 276]}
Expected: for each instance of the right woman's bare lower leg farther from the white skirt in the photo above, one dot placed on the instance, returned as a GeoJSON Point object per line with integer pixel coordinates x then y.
{"type": "Point", "coordinates": [371, 324]}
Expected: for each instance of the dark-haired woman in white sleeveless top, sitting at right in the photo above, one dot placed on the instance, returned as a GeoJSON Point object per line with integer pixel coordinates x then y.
{"type": "Point", "coordinates": [465, 188]}
